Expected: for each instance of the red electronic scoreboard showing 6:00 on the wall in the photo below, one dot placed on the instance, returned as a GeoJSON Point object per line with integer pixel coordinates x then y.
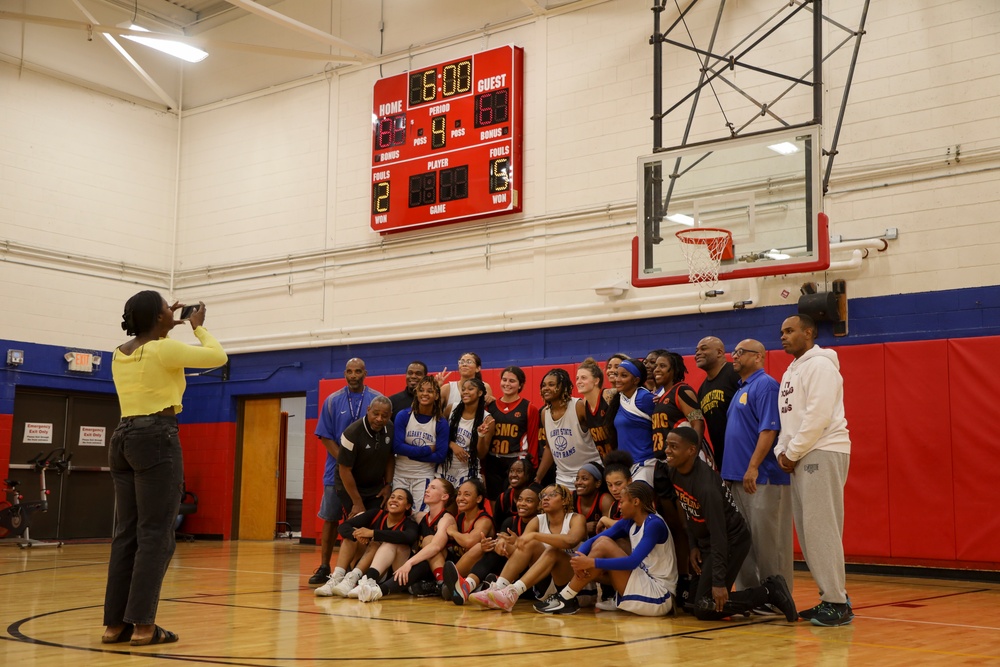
{"type": "Point", "coordinates": [446, 142]}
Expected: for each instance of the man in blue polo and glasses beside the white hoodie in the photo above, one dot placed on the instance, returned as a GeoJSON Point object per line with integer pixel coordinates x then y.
{"type": "Point", "coordinates": [759, 487]}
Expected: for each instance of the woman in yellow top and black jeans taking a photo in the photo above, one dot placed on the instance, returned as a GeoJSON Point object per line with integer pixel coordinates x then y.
{"type": "Point", "coordinates": [146, 464]}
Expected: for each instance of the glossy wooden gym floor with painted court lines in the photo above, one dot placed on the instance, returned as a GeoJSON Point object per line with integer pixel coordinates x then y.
{"type": "Point", "coordinates": [247, 603]}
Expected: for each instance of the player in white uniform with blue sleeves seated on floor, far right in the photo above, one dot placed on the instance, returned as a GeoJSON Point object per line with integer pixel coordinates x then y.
{"type": "Point", "coordinates": [645, 579]}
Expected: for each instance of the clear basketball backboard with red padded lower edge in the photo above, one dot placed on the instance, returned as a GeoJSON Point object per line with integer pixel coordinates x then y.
{"type": "Point", "coordinates": [765, 189]}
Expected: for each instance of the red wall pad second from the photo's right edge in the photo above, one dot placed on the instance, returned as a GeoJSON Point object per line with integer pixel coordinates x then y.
{"type": "Point", "coordinates": [918, 439]}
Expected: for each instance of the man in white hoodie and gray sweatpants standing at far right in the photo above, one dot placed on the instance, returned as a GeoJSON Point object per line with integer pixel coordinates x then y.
{"type": "Point", "coordinates": [815, 447]}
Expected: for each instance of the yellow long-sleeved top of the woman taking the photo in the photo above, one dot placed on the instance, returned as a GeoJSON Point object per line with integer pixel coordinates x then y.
{"type": "Point", "coordinates": [152, 377]}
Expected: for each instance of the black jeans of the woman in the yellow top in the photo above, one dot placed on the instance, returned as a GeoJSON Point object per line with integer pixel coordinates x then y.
{"type": "Point", "coordinates": [148, 473]}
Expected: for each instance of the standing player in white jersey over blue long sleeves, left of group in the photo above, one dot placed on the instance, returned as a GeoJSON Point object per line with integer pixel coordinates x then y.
{"type": "Point", "coordinates": [421, 441]}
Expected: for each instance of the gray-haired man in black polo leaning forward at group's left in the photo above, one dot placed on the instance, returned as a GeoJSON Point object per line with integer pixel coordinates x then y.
{"type": "Point", "coordinates": [365, 464]}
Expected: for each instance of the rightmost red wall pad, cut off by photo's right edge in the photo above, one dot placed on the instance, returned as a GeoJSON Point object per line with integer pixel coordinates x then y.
{"type": "Point", "coordinates": [975, 450]}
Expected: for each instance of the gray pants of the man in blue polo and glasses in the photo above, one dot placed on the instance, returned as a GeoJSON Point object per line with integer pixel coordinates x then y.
{"type": "Point", "coordinates": [769, 515]}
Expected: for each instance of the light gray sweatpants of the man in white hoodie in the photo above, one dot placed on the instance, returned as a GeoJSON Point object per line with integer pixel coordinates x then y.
{"type": "Point", "coordinates": [818, 508]}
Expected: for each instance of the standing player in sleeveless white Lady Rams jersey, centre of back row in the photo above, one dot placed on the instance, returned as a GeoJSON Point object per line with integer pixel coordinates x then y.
{"type": "Point", "coordinates": [568, 442]}
